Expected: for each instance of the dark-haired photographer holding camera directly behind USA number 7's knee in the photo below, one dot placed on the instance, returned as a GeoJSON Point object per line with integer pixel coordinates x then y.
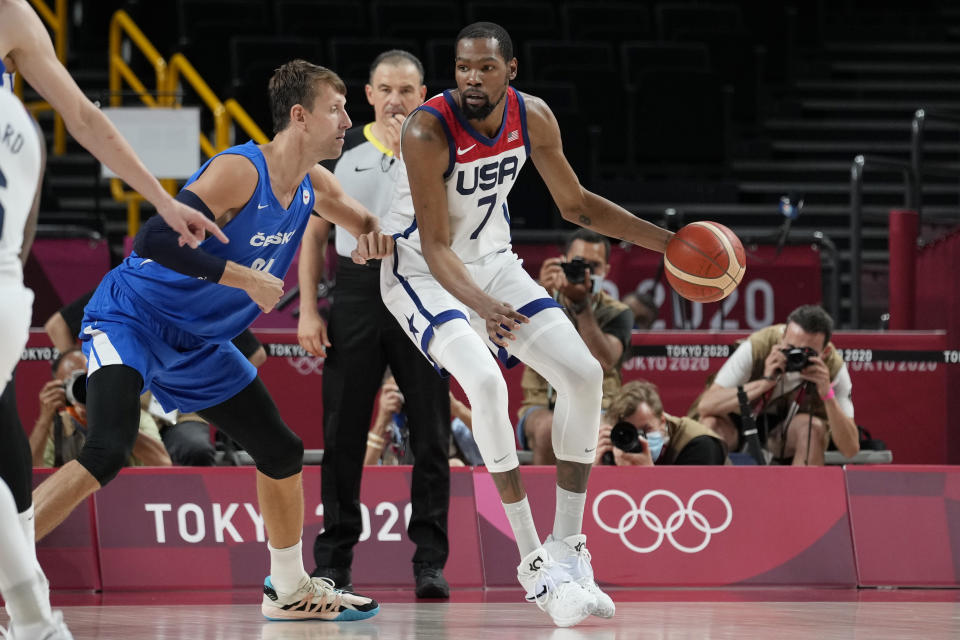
{"type": "Point", "coordinates": [604, 324]}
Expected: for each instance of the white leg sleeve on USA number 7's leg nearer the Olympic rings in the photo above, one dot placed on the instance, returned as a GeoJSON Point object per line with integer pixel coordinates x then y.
{"type": "Point", "coordinates": [551, 345]}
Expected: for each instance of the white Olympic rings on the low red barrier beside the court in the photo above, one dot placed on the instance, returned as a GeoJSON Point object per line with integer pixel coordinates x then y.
{"type": "Point", "coordinates": [653, 522]}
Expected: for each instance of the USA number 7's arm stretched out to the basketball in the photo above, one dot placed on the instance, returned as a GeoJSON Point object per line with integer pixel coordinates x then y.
{"type": "Point", "coordinates": [576, 204]}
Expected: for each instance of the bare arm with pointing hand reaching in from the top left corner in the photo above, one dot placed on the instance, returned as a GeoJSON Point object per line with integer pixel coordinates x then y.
{"type": "Point", "coordinates": [33, 56]}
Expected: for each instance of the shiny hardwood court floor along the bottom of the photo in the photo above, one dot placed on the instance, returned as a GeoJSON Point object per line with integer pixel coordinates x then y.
{"type": "Point", "coordinates": [739, 615]}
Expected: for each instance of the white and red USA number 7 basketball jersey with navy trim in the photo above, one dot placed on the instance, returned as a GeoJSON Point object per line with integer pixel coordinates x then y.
{"type": "Point", "coordinates": [478, 179]}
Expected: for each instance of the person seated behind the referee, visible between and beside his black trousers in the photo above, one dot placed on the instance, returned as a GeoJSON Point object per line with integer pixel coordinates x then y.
{"type": "Point", "coordinates": [388, 437]}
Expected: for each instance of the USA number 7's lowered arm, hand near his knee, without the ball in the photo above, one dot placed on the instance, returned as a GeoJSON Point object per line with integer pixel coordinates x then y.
{"type": "Point", "coordinates": [426, 155]}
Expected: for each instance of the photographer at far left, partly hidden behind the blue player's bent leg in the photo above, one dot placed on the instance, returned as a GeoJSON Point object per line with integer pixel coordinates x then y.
{"type": "Point", "coordinates": [61, 429]}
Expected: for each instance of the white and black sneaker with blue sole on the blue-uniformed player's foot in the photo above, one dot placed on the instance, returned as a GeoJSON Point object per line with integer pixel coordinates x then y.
{"type": "Point", "coordinates": [316, 599]}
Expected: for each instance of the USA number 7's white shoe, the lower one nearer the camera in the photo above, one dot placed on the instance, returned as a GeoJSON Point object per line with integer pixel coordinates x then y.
{"type": "Point", "coordinates": [551, 587]}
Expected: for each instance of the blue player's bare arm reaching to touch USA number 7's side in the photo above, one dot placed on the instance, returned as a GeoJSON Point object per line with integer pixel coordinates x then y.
{"type": "Point", "coordinates": [334, 205]}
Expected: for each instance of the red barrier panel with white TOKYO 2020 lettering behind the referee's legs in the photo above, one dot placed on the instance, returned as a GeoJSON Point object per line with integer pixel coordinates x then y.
{"type": "Point", "coordinates": [200, 528]}
